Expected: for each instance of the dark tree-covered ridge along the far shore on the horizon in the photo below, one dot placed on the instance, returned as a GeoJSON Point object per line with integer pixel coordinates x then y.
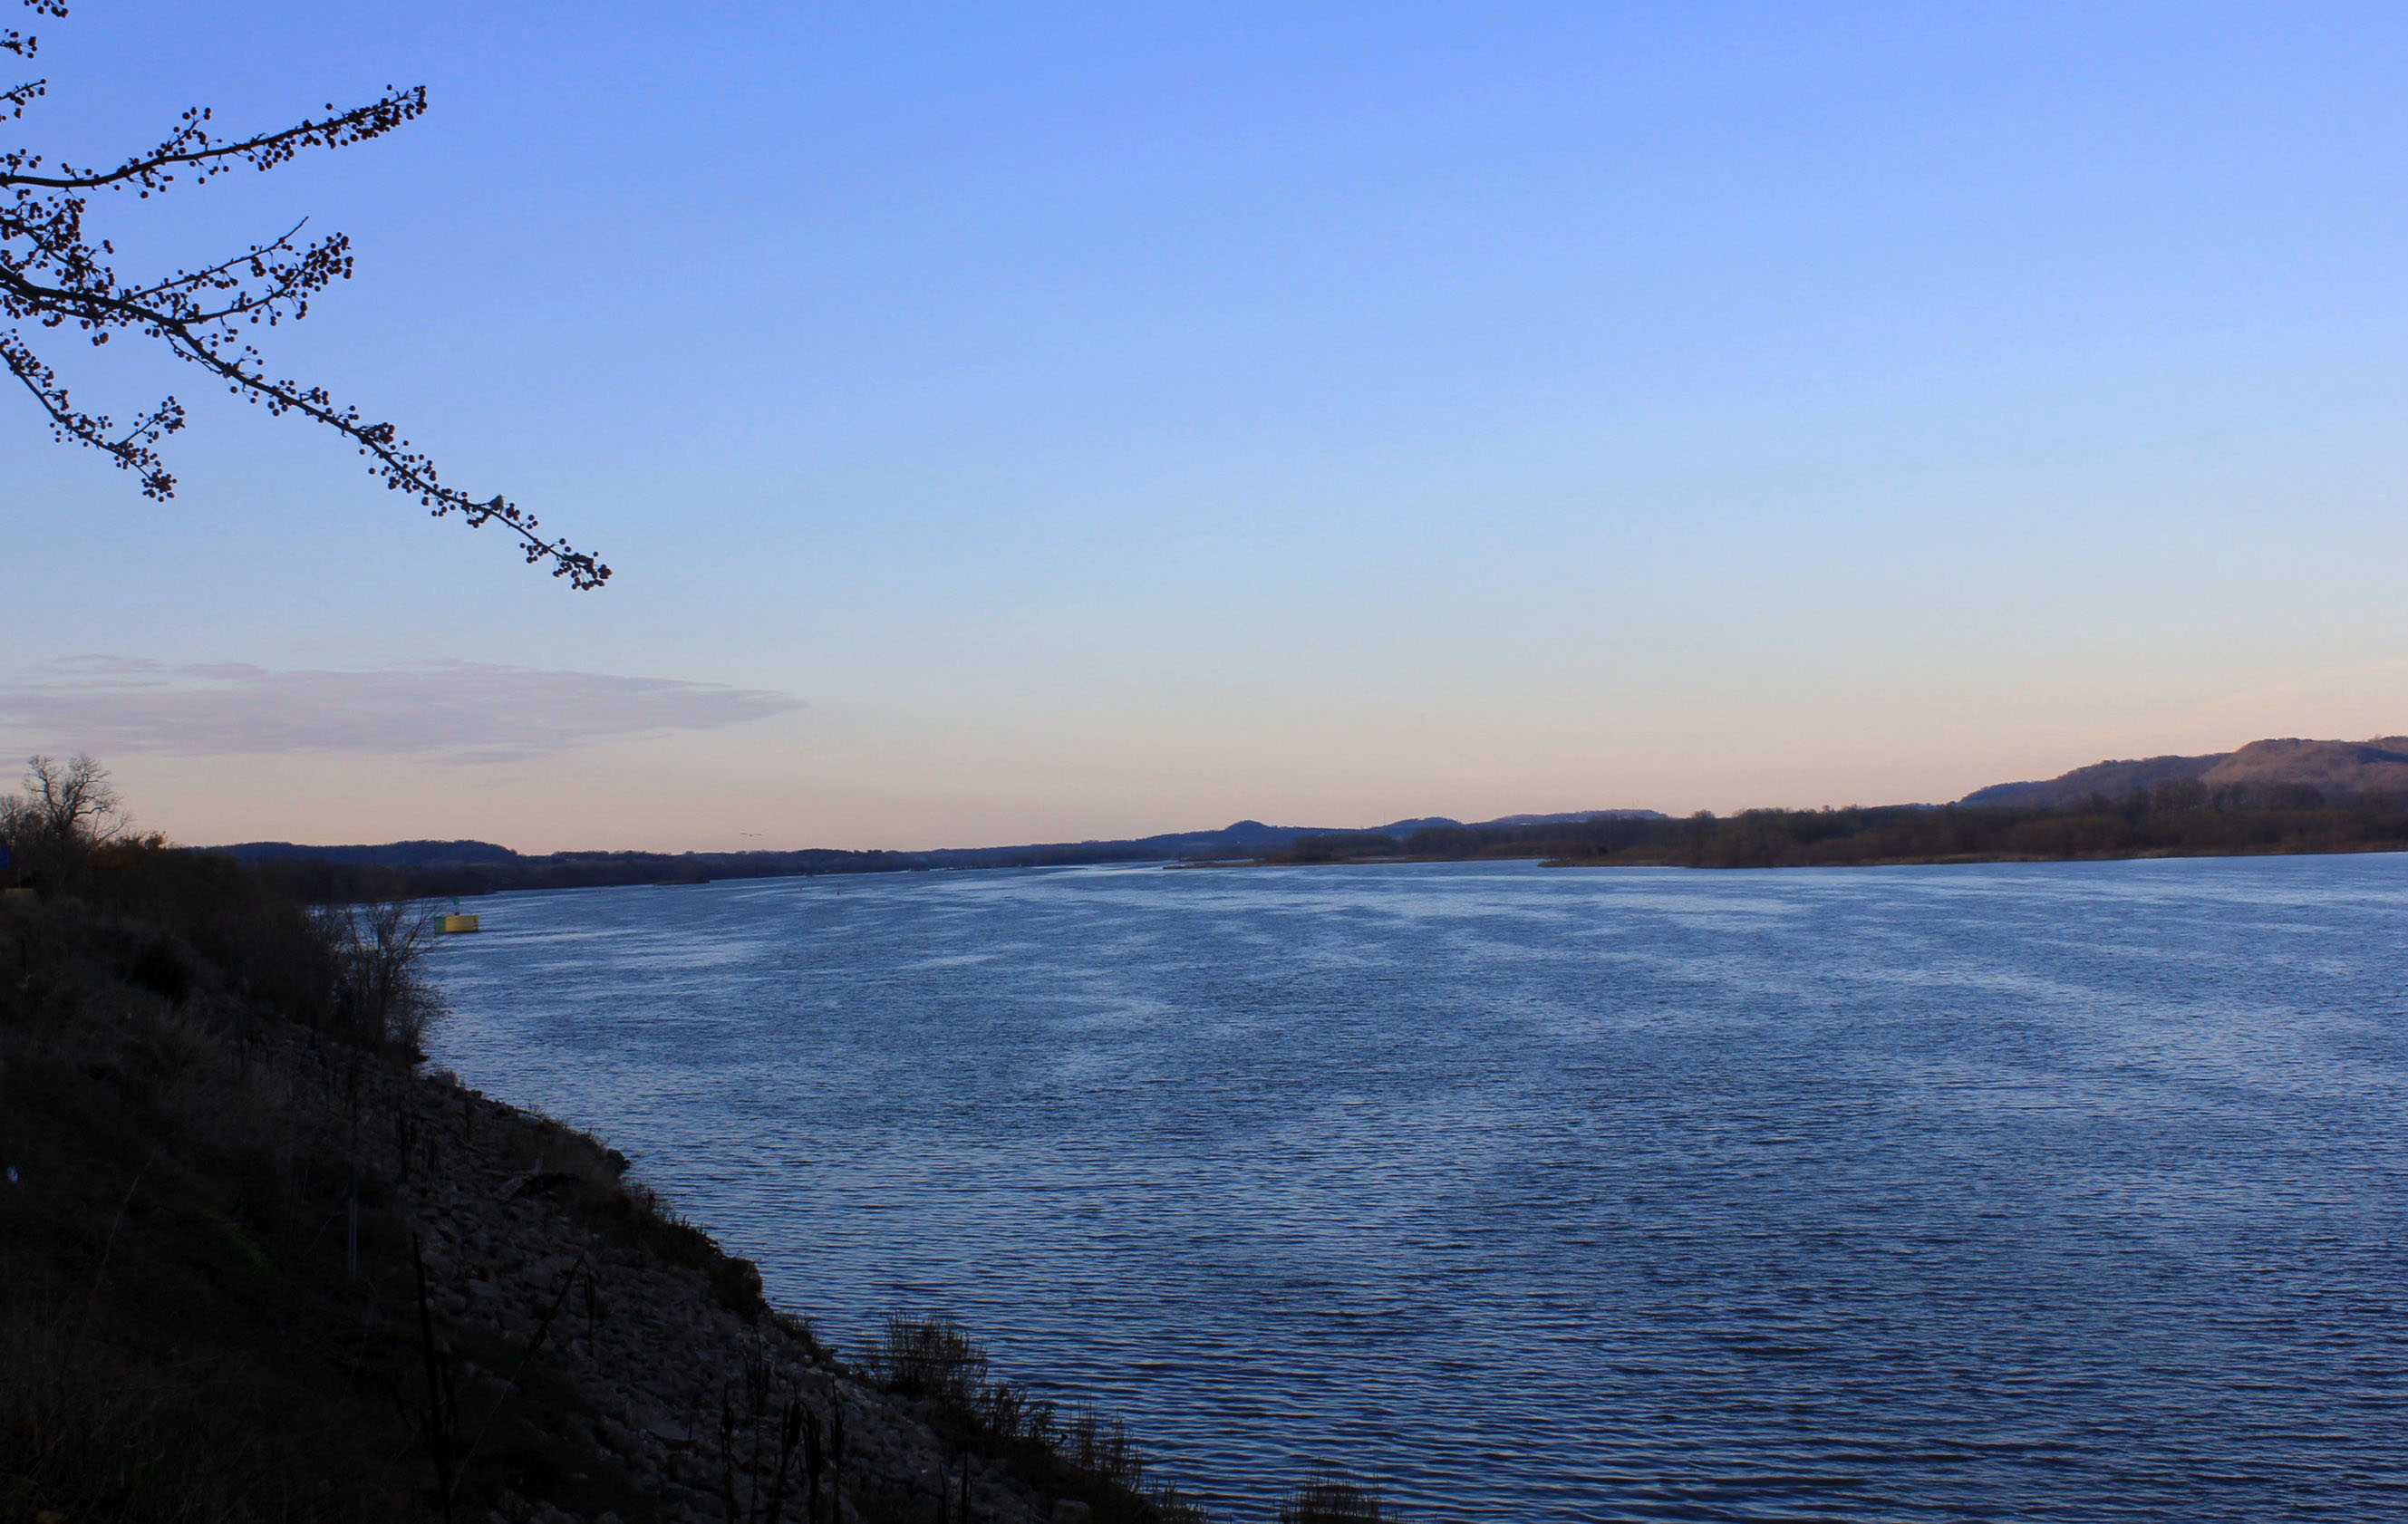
{"type": "Point", "coordinates": [2257, 801]}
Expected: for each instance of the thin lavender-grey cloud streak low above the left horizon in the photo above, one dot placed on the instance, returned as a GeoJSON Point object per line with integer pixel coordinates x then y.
{"type": "Point", "coordinates": [447, 711]}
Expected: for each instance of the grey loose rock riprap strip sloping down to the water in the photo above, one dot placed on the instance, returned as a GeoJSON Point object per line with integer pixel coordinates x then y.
{"type": "Point", "coordinates": [524, 1229]}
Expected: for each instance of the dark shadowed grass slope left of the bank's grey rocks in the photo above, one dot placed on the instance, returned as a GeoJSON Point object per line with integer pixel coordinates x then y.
{"type": "Point", "coordinates": [158, 1229]}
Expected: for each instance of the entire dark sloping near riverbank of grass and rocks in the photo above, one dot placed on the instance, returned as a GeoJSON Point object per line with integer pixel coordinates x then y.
{"type": "Point", "coordinates": [261, 1275]}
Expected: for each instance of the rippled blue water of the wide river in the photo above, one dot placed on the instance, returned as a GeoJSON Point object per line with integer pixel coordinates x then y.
{"type": "Point", "coordinates": [1973, 1193]}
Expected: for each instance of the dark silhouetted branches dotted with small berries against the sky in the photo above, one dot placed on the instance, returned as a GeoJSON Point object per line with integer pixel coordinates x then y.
{"type": "Point", "coordinates": [57, 278]}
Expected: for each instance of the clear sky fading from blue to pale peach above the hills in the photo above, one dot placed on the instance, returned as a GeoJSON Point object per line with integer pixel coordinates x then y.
{"type": "Point", "coordinates": [1020, 423]}
